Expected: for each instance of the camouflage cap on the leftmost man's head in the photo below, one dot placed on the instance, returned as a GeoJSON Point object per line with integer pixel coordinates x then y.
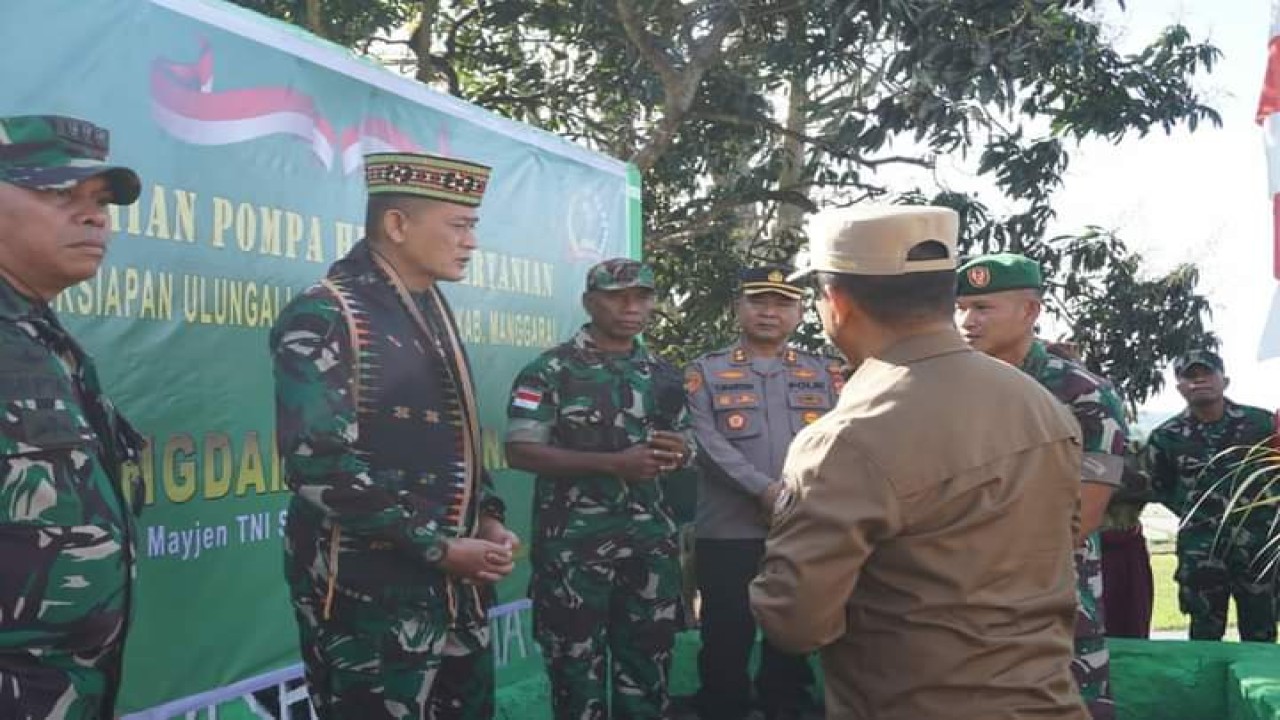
{"type": "Point", "coordinates": [57, 153]}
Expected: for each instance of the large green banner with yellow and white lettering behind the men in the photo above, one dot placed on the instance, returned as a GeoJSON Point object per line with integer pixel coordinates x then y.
{"type": "Point", "coordinates": [249, 136]}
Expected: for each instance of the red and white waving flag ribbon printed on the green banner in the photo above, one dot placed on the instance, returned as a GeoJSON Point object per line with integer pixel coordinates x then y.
{"type": "Point", "coordinates": [186, 106]}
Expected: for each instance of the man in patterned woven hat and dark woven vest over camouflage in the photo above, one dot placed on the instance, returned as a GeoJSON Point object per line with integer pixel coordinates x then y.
{"type": "Point", "coordinates": [394, 536]}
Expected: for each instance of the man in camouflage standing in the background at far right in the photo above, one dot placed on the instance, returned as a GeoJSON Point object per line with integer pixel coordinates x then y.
{"type": "Point", "coordinates": [1199, 461]}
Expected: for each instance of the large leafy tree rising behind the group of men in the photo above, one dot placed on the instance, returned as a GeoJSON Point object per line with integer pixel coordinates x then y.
{"type": "Point", "coordinates": [746, 117]}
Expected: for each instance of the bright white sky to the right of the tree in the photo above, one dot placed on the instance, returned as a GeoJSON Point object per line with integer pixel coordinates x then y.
{"type": "Point", "coordinates": [1196, 198]}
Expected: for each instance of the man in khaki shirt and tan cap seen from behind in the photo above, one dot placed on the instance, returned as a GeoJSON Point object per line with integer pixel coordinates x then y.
{"type": "Point", "coordinates": [924, 539]}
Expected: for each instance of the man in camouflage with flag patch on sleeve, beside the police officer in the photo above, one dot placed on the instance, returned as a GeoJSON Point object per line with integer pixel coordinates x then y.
{"type": "Point", "coordinates": [598, 420]}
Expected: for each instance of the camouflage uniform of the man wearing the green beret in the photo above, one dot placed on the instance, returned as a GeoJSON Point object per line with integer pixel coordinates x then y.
{"type": "Point", "coordinates": [1104, 435]}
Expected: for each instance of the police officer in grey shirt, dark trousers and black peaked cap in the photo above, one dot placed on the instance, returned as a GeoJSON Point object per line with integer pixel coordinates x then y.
{"type": "Point", "coordinates": [748, 402]}
